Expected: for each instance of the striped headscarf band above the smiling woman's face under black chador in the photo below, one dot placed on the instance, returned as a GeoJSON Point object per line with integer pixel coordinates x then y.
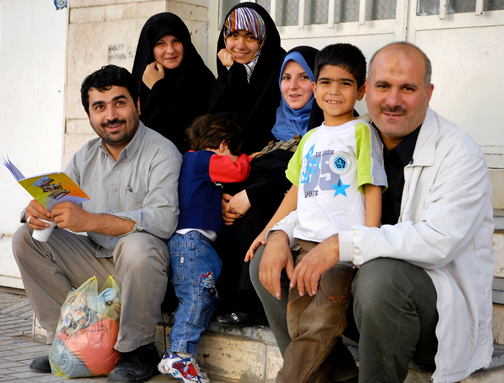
{"type": "Point", "coordinates": [246, 19]}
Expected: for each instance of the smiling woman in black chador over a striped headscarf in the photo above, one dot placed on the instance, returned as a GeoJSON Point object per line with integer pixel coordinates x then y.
{"type": "Point", "coordinates": [248, 64]}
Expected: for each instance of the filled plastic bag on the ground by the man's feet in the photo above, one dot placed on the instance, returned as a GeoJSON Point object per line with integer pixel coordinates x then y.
{"type": "Point", "coordinates": [87, 331]}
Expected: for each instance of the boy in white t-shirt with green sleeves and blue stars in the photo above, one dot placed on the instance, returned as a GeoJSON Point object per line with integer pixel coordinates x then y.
{"type": "Point", "coordinates": [339, 176]}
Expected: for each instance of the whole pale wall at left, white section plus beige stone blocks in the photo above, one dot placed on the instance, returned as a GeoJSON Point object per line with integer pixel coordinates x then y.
{"type": "Point", "coordinates": [44, 56]}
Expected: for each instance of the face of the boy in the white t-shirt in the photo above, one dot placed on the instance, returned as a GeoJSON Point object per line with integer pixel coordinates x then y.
{"type": "Point", "coordinates": [336, 93]}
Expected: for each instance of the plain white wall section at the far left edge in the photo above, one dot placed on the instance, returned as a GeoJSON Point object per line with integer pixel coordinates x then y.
{"type": "Point", "coordinates": [33, 38]}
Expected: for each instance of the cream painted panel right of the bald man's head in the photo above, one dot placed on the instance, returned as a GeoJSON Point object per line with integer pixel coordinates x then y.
{"type": "Point", "coordinates": [468, 76]}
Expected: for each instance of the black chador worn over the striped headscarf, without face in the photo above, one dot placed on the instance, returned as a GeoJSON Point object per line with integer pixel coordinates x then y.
{"type": "Point", "coordinates": [252, 105]}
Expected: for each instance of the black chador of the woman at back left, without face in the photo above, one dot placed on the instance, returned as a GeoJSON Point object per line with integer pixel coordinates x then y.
{"type": "Point", "coordinates": [175, 101]}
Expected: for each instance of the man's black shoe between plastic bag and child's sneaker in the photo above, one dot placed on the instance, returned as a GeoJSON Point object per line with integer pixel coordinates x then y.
{"type": "Point", "coordinates": [136, 366]}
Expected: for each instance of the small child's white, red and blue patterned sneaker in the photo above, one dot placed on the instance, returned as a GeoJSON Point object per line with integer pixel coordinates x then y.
{"type": "Point", "coordinates": [184, 369]}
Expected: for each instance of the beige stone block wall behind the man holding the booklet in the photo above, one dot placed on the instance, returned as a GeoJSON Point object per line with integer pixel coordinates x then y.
{"type": "Point", "coordinates": [105, 32]}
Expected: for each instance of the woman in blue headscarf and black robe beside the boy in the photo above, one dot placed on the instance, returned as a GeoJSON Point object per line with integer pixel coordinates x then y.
{"type": "Point", "coordinates": [258, 198]}
